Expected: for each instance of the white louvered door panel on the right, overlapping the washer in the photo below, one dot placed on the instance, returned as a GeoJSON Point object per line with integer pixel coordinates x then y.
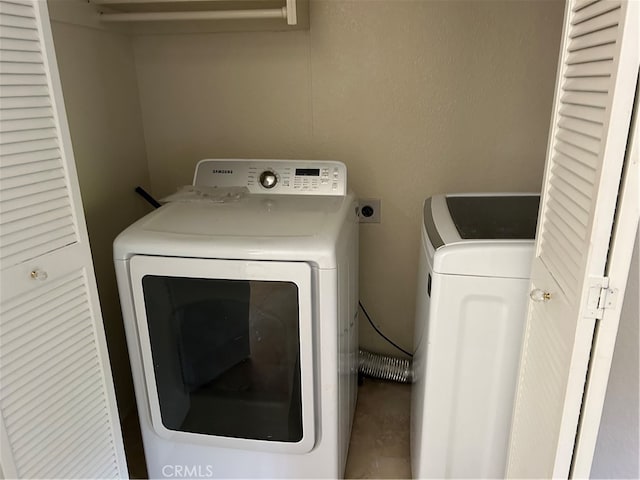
{"type": "Point", "coordinates": [594, 97]}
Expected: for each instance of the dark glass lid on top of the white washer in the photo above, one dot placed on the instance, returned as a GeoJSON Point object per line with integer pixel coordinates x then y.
{"type": "Point", "coordinates": [499, 217]}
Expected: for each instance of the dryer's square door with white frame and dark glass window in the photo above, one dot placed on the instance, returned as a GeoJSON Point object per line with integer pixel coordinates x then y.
{"type": "Point", "coordinates": [226, 348]}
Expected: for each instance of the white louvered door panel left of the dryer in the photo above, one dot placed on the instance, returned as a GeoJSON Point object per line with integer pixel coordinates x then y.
{"type": "Point", "coordinates": [58, 411]}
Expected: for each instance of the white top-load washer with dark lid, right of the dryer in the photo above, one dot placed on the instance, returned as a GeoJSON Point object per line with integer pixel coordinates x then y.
{"type": "Point", "coordinates": [474, 267]}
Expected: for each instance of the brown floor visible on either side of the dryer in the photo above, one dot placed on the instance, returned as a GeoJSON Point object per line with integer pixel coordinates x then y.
{"type": "Point", "coordinates": [379, 440]}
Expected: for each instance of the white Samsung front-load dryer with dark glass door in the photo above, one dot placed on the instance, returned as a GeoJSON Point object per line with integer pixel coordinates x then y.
{"type": "Point", "coordinates": [240, 308]}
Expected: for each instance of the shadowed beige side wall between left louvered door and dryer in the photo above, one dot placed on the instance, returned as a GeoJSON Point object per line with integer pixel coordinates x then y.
{"type": "Point", "coordinates": [101, 99]}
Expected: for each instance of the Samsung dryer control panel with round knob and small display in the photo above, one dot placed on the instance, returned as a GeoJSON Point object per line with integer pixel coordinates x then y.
{"type": "Point", "coordinates": [282, 177]}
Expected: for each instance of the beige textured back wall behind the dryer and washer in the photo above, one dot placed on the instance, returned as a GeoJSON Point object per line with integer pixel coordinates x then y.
{"type": "Point", "coordinates": [416, 97]}
